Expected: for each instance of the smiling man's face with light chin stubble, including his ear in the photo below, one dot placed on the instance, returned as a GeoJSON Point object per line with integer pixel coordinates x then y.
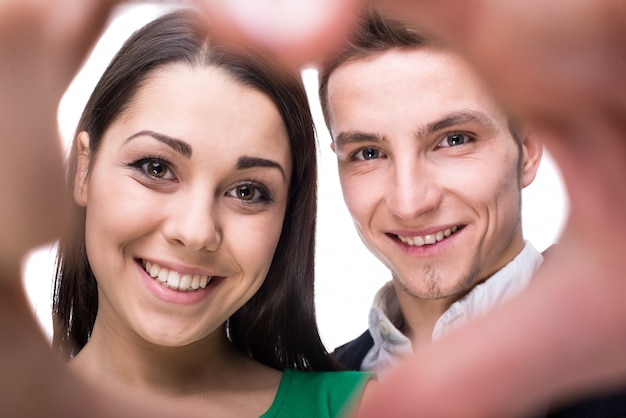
{"type": "Point", "coordinates": [428, 168]}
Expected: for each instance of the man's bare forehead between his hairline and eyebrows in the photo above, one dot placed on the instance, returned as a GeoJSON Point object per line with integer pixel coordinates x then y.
{"type": "Point", "coordinates": [400, 78]}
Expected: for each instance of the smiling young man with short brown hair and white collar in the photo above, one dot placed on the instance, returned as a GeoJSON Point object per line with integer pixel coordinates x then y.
{"type": "Point", "coordinates": [432, 172]}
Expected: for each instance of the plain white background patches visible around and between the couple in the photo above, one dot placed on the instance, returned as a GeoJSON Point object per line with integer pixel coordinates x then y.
{"type": "Point", "coordinates": [347, 275]}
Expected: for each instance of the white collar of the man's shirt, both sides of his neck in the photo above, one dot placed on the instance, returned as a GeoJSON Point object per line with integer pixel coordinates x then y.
{"type": "Point", "coordinates": [390, 344]}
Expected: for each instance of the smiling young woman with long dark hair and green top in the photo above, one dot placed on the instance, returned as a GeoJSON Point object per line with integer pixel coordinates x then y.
{"type": "Point", "coordinates": [188, 267]}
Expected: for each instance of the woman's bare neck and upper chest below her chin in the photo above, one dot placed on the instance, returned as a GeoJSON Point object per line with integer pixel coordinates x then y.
{"type": "Point", "coordinates": [211, 372]}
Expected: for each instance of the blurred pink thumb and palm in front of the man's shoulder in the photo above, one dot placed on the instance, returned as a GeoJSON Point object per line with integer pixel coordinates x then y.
{"type": "Point", "coordinates": [560, 339]}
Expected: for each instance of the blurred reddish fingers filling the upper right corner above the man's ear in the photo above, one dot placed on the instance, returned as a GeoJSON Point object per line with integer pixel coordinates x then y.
{"type": "Point", "coordinates": [545, 59]}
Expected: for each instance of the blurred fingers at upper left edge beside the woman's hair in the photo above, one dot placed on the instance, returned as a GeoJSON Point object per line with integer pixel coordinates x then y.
{"type": "Point", "coordinates": [42, 44]}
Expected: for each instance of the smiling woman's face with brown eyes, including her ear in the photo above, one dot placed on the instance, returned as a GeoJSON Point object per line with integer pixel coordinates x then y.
{"type": "Point", "coordinates": [185, 204]}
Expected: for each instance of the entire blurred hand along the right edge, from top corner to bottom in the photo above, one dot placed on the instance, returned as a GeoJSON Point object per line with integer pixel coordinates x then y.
{"type": "Point", "coordinates": [522, 49]}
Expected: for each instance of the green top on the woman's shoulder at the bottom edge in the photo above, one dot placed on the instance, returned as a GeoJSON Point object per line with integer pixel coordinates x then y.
{"type": "Point", "coordinates": [317, 394]}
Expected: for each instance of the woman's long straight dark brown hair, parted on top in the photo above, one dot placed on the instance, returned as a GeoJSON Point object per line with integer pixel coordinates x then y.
{"type": "Point", "coordinates": [277, 325]}
